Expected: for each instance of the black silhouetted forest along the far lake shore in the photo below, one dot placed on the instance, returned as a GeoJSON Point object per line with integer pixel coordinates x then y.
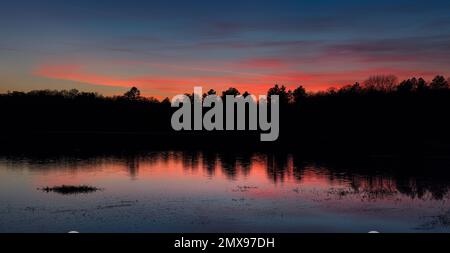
{"type": "Point", "coordinates": [379, 114]}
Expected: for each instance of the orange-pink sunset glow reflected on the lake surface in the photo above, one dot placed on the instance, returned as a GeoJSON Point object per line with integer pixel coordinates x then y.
{"type": "Point", "coordinates": [260, 175]}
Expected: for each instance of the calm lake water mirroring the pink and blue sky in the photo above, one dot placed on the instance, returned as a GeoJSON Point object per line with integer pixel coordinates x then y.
{"type": "Point", "coordinates": [174, 191]}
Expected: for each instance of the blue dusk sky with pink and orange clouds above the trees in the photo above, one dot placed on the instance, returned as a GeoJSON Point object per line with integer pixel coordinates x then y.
{"type": "Point", "coordinates": [167, 47]}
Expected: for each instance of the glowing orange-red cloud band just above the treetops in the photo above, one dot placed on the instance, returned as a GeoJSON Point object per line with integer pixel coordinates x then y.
{"type": "Point", "coordinates": [161, 86]}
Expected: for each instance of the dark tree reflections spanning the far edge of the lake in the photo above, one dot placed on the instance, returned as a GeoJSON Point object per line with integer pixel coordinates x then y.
{"type": "Point", "coordinates": [377, 178]}
